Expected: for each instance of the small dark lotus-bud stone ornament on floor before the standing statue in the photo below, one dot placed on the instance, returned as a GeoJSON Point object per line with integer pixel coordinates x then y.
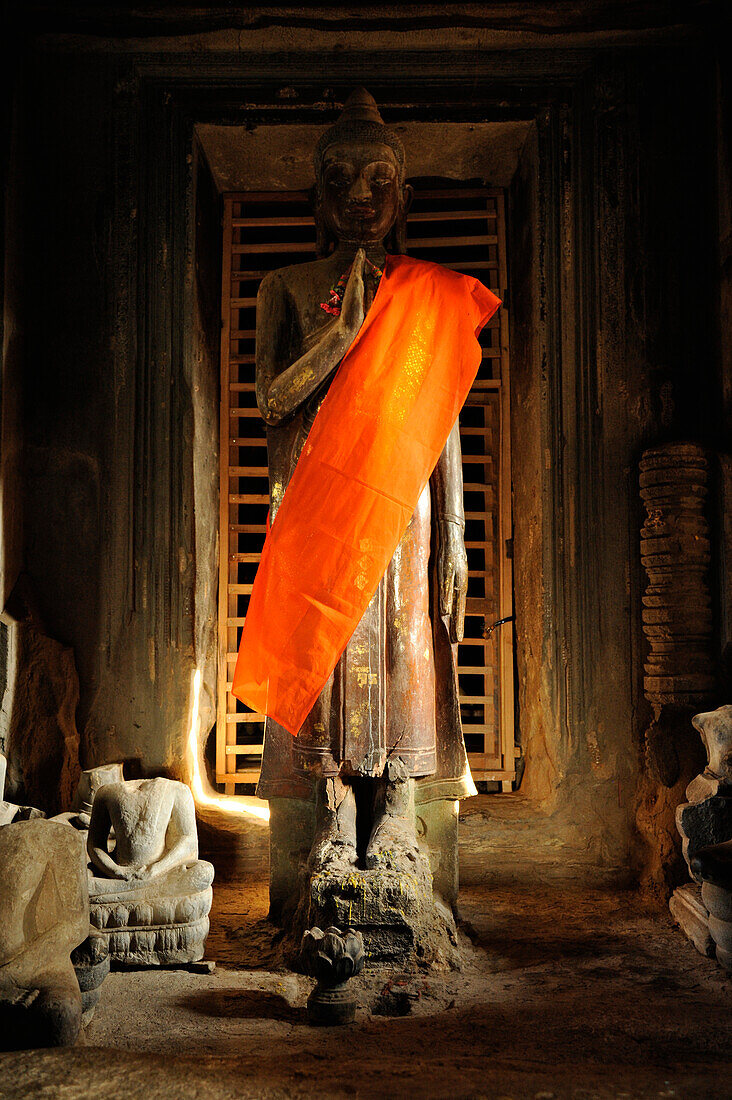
{"type": "Point", "coordinates": [333, 958]}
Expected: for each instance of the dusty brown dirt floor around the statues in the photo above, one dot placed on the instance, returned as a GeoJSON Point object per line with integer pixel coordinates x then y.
{"type": "Point", "coordinates": [566, 992]}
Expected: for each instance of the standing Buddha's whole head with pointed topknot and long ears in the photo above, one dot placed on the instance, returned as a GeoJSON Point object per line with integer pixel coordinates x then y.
{"type": "Point", "coordinates": [362, 199]}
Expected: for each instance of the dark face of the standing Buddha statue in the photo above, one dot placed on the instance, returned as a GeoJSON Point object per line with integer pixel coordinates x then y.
{"type": "Point", "coordinates": [360, 195]}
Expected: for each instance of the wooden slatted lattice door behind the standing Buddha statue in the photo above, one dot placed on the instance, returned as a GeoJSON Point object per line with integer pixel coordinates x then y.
{"type": "Point", "coordinates": [463, 228]}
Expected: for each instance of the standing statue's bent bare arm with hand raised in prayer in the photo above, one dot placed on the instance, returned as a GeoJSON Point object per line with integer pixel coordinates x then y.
{"type": "Point", "coordinates": [281, 389]}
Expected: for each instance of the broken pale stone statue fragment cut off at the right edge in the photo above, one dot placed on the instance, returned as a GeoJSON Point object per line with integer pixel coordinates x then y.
{"type": "Point", "coordinates": [705, 823]}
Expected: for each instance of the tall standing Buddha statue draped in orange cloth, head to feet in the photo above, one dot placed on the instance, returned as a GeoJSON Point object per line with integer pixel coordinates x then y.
{"type": "Point", "coordinates": [379, 723]}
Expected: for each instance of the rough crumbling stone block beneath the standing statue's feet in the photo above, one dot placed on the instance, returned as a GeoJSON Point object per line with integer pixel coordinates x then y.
{"type": "Point", "coordinates": [395, 911]}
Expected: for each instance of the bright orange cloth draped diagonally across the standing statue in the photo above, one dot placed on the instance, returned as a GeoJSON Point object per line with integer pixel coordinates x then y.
{"type": "Point", "coordinates": [375, 444]}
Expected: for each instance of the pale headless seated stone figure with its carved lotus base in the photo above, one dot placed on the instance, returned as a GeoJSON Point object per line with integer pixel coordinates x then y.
{"type": "Point", "coordinates": [150, 895]}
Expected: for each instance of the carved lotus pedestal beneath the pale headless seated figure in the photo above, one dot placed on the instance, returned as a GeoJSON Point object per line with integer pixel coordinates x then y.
{"type": "Point", "coordinates": [162, 922]}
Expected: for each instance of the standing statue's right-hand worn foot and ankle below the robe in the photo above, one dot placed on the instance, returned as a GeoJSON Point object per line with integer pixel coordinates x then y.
{"type": "Point", "coordinates": [394, 843]}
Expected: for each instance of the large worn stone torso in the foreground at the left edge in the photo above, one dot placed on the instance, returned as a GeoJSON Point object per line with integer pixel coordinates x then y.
{"type": "Point", "coordinates": [45, 916]}
